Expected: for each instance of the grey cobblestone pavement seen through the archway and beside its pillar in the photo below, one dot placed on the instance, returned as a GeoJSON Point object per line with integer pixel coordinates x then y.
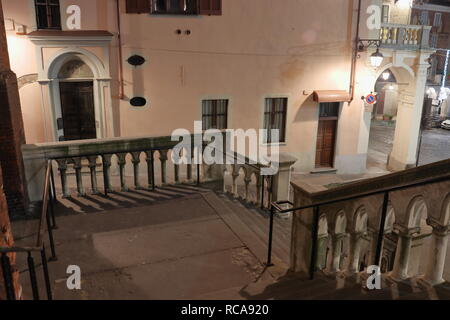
{"type": "Point", "coordinates": [435, 145]}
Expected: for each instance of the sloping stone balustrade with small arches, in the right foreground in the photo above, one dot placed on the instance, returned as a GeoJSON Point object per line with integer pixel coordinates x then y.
{"type": "Point", "coordinates": [415, 231]}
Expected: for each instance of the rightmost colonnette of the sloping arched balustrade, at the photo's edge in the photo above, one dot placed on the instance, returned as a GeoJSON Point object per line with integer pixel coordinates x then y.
{"type": "Point", "coordinates": [438, 251]}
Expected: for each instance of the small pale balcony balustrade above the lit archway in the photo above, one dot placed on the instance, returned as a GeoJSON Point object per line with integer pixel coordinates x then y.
{"type": "Point", "coordinates": [404, 36]}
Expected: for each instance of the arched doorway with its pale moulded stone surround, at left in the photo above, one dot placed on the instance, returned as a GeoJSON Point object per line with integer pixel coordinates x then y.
{"type": "Point", "coordinates": [78, 77]}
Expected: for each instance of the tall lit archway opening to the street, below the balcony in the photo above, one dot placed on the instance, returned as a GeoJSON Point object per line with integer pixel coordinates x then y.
{"type": "Point", "coordinates": [394, 122]}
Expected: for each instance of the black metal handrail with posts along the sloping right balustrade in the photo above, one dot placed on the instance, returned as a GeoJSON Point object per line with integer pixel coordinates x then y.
{"type": "Point", "coordinates": [276, 208]}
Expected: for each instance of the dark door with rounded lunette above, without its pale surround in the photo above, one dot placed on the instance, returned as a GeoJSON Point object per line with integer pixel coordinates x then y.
{"type": "Point", "coordinates": [76, 88]}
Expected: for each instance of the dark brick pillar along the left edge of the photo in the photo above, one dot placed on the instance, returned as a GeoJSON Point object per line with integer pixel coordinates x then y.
{"type": "Point", "coordinates": [12, 135]}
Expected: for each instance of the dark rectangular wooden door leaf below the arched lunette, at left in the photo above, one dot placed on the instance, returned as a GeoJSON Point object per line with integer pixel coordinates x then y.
{"type": "Point", "coordinates": [77, 106]}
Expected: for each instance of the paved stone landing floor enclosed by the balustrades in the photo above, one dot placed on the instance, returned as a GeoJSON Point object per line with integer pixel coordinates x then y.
{"type": "Point", "coordinates": [171, 244]}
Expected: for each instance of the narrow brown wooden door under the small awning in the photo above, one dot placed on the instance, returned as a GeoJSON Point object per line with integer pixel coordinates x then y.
{"type": "Point", "coordinates": [326, 139]}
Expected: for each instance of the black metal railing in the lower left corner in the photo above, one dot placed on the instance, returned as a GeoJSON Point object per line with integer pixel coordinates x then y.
{"type": "Point", "coordinates": [47, 222]}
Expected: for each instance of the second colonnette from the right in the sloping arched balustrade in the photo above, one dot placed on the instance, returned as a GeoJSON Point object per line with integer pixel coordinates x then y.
{"type": "Point", "coordinates": [402, 254]}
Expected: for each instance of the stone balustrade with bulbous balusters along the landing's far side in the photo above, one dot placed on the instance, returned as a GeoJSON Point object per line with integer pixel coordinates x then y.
{"type": "Point", "coordinates": [148, 160]}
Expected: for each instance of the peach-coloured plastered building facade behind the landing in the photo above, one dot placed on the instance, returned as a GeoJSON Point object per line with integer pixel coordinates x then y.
{"type": "Point", "coordinates": [103, 69]}
